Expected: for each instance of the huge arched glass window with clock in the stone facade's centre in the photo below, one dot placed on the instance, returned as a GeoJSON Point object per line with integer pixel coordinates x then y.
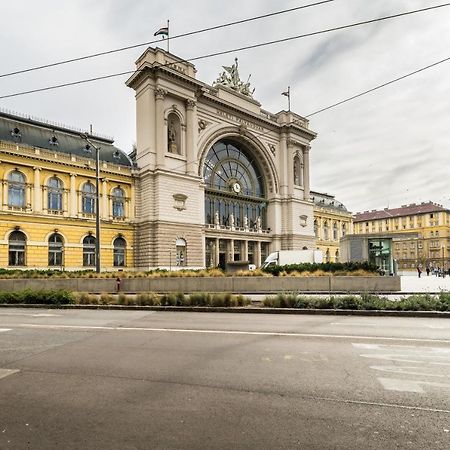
{"type": "Point", "coordinates": [235, 194]}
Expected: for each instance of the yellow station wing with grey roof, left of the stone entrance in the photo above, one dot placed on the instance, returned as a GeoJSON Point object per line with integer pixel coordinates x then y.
{"type": "Point", "coordinates": [48, 193]}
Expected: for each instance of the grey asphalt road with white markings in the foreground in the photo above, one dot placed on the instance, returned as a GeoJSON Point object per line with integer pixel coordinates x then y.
{"type": "Point", "coordinates": [160, 380]}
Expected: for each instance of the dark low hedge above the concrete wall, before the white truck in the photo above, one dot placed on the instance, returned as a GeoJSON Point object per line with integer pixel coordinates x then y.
{"type": "Point", "coordinates": [329, 267]}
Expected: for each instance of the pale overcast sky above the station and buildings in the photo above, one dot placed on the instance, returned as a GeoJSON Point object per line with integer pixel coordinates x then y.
{"type": "Point", "coordinates": [386, 149]}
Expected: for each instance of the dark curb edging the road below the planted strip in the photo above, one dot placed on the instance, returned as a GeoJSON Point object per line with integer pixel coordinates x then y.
{"type": "Point", "coordinates": [243, 310]}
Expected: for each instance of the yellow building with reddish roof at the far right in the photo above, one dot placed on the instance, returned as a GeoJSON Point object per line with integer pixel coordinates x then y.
{"type": "Point", "coordinates": [420, 232]}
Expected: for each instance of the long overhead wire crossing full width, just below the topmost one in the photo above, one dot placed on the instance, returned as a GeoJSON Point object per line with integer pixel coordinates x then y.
{"type": "Point", "coordinates": [235, 50]}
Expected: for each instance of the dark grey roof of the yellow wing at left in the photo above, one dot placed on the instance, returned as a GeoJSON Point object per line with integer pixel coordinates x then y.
{"type": "Point", "coordinates": [57, 138]}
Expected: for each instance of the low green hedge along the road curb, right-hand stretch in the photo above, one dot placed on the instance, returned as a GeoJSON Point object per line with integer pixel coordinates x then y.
{"type": "Point", "coordinates": [417, 302]}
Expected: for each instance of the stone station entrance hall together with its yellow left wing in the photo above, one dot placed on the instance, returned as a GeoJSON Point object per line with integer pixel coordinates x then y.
{"type": "Point", "coordinates": [214, 178]}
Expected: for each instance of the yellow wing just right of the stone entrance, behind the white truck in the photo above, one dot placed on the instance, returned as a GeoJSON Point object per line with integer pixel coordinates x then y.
{"type": "Point", "coordinates": [332, 222]}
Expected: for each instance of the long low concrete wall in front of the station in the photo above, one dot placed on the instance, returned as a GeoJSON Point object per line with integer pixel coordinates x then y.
{"type": "Point", "coordinates": [244, 285]}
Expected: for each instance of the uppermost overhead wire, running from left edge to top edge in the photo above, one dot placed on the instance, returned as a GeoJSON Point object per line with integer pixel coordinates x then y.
{"type": "Point", "coordinates": [190, 33]}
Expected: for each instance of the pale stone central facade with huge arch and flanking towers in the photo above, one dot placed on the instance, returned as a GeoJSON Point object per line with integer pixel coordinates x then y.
{"type": "Point", "coordinates": [179, 120]}
